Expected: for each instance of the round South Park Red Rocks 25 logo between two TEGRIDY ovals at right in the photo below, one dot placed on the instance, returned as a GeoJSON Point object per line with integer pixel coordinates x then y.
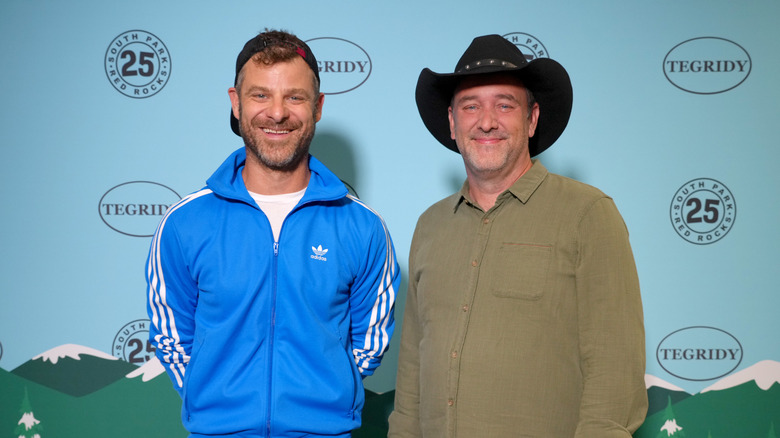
{"type": "Point", "coordinates": [703, 211]}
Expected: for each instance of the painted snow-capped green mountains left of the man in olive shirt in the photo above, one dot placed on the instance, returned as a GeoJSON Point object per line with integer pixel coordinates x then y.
{"type": "Point", "coordinates": [76, 392]}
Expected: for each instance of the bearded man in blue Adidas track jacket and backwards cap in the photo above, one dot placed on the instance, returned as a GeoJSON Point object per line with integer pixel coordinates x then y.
{"type": "Point", "coordinates": [271, 290]}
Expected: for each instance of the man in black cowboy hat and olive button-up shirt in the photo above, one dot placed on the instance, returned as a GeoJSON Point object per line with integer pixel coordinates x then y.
{"type": "Point", "coordinates": [523, 315]}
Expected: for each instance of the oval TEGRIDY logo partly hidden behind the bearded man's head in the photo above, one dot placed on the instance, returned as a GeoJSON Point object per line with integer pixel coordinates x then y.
{"type": "Point", "coordinates": [343, 64]}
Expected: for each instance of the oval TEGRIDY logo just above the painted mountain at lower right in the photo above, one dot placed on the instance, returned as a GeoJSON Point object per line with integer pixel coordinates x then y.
{"type": "Point", "coordinates": [699, 353]}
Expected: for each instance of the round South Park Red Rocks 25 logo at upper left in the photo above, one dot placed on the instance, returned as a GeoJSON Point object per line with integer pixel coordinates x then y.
{"type": "Point", "coordinates": [138, 64]}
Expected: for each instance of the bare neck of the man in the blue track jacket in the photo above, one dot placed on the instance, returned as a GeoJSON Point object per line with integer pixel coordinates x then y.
{"type": "Point", "coordinates": [265, 181]}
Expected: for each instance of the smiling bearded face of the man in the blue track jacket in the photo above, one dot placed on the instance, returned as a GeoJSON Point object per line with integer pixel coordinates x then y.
{"type": "Point", "coordinates": [277, 106]}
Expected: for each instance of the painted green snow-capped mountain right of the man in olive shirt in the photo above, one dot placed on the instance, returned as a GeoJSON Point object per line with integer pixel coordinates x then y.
{"type": "Point", "coordinates": [745, 404]}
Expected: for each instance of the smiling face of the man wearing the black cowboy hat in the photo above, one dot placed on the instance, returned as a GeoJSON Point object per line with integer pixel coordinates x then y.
{"type": "Point", "coordinates": [491, 123]}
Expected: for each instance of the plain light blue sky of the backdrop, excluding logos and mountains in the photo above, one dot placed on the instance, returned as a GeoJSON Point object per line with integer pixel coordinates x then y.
{"type": "Point", "coordinates": [67, 137]}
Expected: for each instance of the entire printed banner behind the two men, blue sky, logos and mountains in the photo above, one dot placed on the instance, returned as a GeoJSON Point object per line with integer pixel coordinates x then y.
{"type": "Point", "coordinates": [111, 112]}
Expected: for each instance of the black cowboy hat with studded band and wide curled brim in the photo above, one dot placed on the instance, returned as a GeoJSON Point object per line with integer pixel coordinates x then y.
{"type": "Point", "coordinates": [547, 80]}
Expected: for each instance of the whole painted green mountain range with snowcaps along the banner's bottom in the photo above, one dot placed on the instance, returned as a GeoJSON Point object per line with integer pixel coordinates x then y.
{"type": "Point", "coordinates": [77, 392]}
